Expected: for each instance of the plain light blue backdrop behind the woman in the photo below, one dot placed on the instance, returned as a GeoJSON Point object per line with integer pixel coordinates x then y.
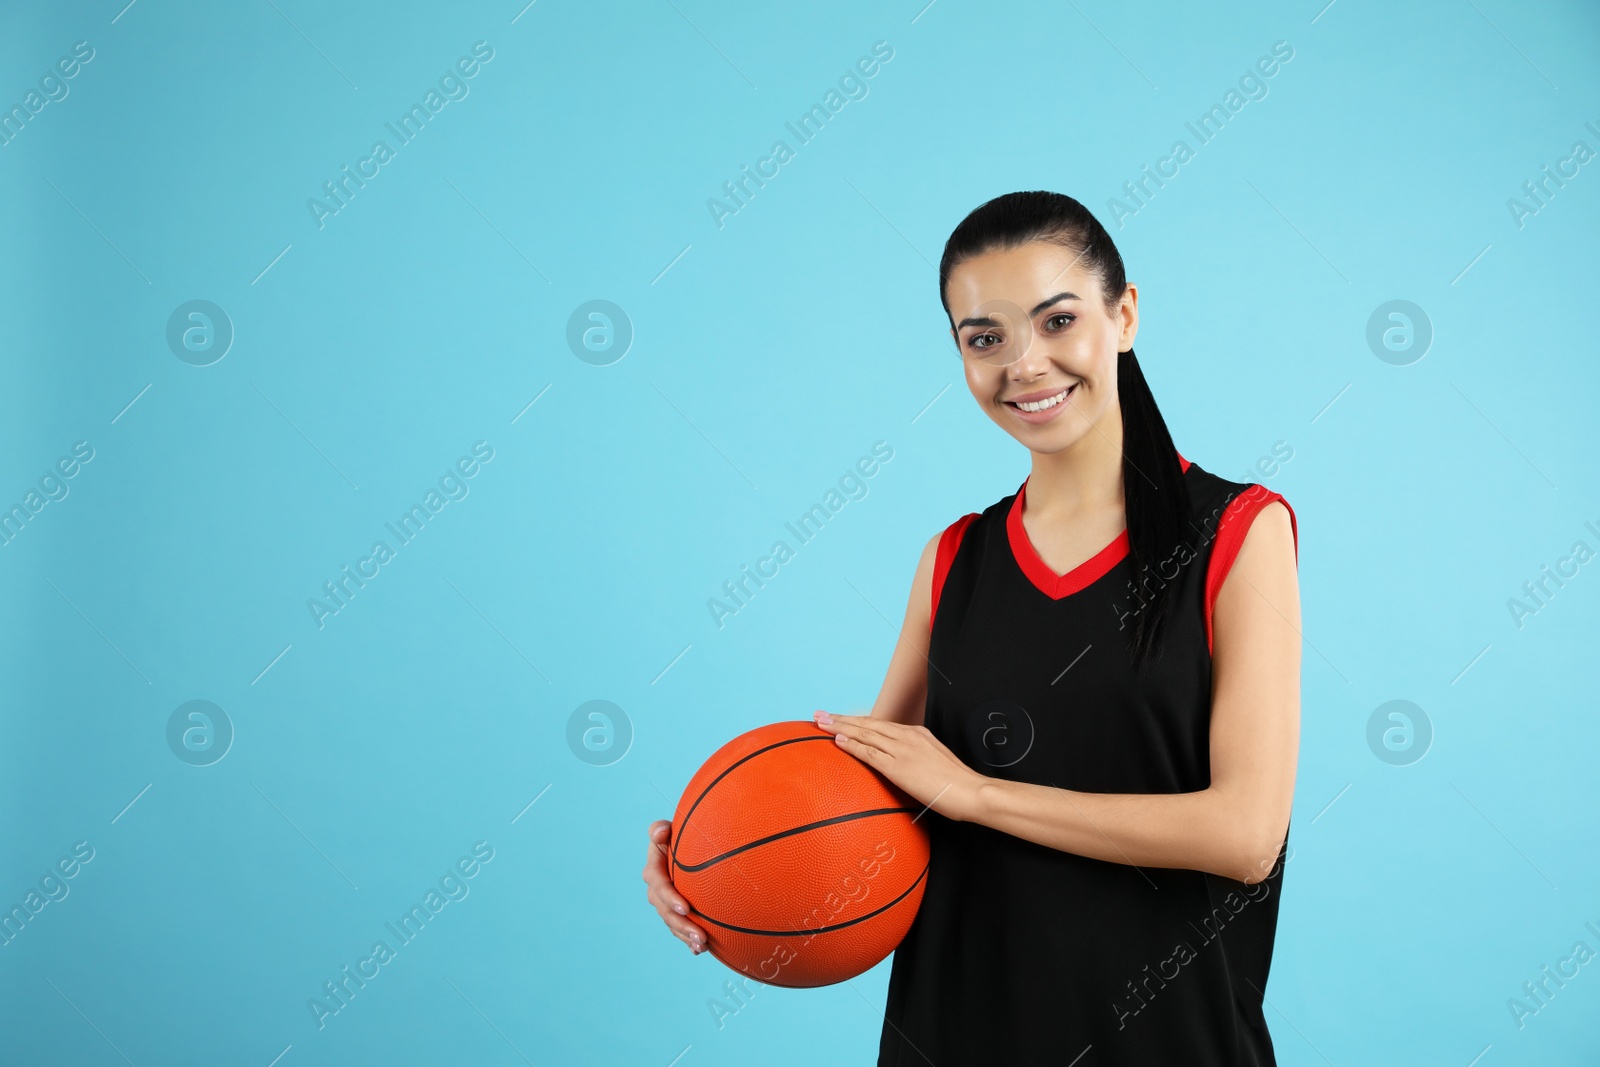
{"type": "Point", "coordinates": [772, 354]}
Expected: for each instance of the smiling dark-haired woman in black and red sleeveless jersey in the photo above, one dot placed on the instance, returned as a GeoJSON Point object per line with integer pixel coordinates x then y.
{"type": "Point", "coordinates": [1097, 695]}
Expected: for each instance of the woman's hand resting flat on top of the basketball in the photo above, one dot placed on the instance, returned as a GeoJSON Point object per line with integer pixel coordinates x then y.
{"type": "Point", "coordinates": [913, 759]}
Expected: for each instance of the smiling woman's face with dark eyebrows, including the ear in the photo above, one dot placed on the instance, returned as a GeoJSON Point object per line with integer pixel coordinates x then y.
{"type": "Point", "coordinates": [1039, 314]}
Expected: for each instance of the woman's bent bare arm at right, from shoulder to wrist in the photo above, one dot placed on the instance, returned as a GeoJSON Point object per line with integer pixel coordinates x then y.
{"type": "Point", "coordinates": [1236, 826]}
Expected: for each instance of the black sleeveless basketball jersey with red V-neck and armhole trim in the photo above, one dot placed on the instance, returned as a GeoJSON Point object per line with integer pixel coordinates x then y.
{"type": "Point", "coordinates": [1023, 954]}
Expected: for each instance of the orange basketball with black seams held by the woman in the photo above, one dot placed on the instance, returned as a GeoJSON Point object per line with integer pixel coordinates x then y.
{"type": "Point", "coordinates": [804, 866]}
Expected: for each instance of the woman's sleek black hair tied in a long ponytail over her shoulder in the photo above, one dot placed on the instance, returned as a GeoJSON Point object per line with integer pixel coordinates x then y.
{"type": "Point", "coordinates": [1154, 492]}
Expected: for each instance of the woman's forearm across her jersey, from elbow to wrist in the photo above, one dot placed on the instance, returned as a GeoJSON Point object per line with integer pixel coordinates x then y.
{"type": "Point", "coordinates": [1201, 831]}
